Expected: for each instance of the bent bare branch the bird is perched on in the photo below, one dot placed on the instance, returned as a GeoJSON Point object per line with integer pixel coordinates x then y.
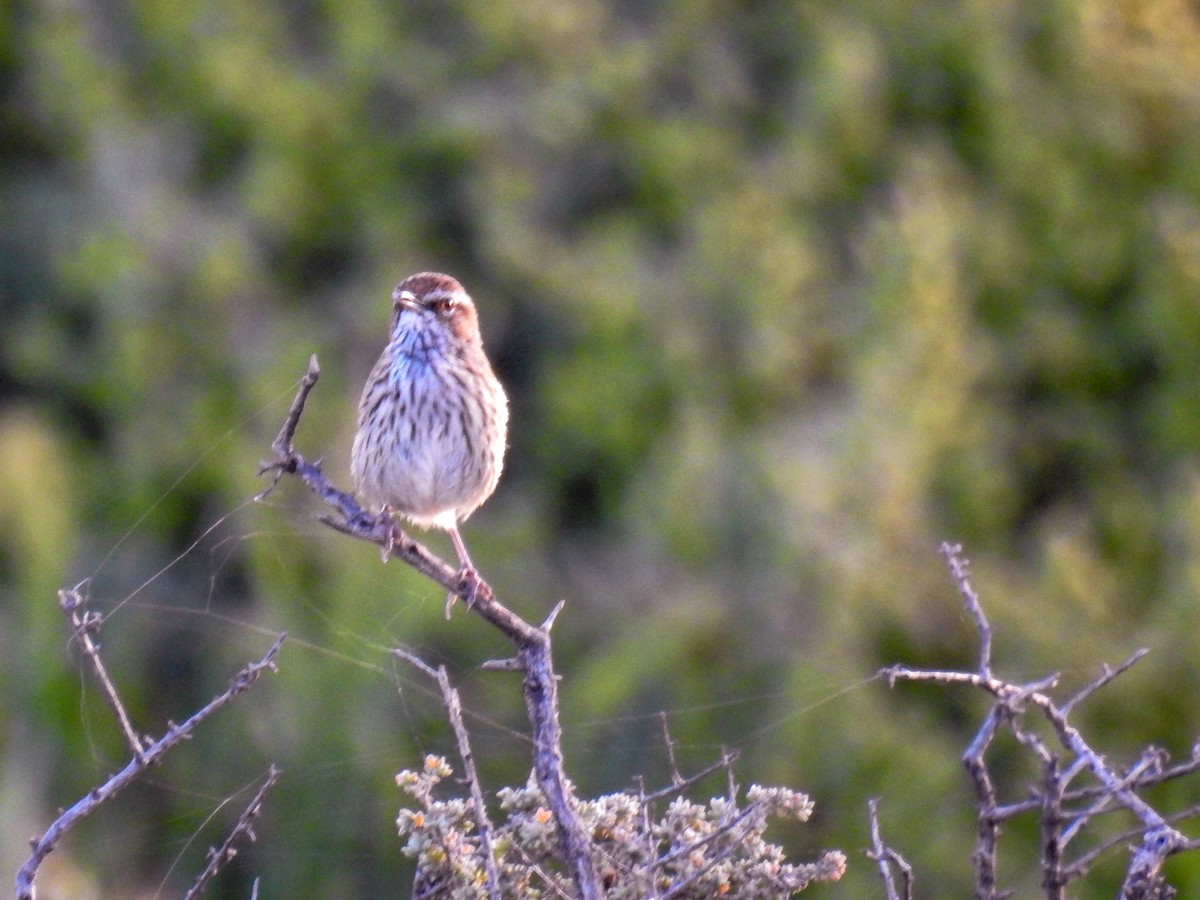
{"type": "Point", "coordinates": [532, 643]}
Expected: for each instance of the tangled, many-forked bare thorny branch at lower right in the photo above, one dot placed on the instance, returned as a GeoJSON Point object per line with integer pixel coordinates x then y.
{"type": "Point", "coordinates": [1061, 815]}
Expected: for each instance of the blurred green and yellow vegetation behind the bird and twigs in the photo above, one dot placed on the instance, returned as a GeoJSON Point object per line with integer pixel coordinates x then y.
{"type": "Point", "coordinates": [784, 293]}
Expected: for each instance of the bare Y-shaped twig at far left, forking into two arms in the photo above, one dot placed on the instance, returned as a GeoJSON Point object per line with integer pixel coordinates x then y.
{"type": "Point", "coordinates": [146, 753]}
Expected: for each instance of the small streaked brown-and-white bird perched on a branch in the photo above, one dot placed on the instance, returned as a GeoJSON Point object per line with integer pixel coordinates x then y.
{"type": "Point", "coordinates": [434, 418]}
